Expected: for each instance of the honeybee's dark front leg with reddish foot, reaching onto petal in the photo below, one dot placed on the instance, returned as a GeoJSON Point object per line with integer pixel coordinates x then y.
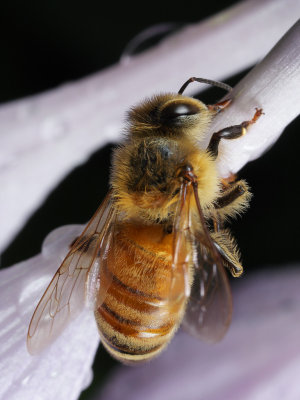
{"type": "Point", "coordinates": [231, 132]}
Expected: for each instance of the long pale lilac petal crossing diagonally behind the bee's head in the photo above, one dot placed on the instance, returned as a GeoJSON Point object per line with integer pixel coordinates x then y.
{"type": "Point", "coordinates": [59, 129]}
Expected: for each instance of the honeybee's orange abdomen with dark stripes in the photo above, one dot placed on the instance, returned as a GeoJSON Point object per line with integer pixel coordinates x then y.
{"type": "Point", "coordinates": [138, 313]}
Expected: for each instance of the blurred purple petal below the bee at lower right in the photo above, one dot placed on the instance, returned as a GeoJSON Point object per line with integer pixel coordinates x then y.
{"type": "Point", "coordinates": [258, 359]}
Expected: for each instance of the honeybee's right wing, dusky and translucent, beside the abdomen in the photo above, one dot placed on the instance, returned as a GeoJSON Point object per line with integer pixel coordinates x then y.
{"type": "Point", "coordinates": [209, 309]}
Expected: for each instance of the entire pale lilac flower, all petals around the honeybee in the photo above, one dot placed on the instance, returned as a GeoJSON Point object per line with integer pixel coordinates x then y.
{"type": "Point", "coordinates": [64, 369]}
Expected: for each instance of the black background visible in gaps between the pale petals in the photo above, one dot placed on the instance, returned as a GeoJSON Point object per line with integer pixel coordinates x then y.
{"type": "Point", "coordinates": [44, 44]}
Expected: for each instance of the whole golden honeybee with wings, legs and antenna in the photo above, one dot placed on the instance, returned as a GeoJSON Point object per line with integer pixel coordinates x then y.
{"type": "Point", "coordinates": [153, 255]}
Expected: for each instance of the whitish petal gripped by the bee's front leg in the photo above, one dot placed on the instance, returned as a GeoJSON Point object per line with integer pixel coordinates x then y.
{"type": "Point", "coordinates": [274, 86]}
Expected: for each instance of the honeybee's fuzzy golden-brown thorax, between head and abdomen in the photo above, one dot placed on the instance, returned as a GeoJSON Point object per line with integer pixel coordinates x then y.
{"type": "Point", "coordinates": [138, 194]}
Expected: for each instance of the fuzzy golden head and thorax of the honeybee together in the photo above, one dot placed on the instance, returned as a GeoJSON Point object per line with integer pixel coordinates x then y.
{"type": "Point", "coordinates": [162, 136]}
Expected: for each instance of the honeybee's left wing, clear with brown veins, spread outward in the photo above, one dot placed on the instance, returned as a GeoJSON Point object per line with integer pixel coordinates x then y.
{"type": "Point", "coordinates": [65, 296]}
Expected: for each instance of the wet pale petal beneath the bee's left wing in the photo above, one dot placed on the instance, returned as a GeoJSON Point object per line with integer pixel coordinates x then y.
{"type": "Point", "coordinates": [63, 370]}
